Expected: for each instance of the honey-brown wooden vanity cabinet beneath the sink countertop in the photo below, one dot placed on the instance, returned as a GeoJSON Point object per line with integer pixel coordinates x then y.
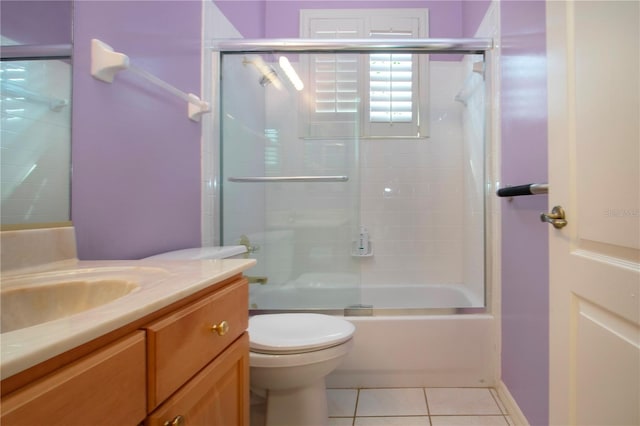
{"type": "Point", "coordinates": [186, 364]}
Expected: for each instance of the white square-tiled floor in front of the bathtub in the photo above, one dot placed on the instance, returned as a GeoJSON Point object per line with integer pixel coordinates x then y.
{"type": "Point", "coordinates": [416, 407]}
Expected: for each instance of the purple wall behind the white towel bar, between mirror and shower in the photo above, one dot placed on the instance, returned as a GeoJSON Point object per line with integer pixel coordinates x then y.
{"type": "Point", "coordinates": [136, 155]}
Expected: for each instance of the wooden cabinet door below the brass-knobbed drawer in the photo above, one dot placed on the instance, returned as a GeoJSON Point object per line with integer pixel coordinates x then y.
{"type": "Point", "coordinates": [217, 396]}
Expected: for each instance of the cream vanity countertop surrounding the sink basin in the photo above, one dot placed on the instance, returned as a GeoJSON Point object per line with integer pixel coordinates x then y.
{"type": "Point", "coordinates": [161, 283]}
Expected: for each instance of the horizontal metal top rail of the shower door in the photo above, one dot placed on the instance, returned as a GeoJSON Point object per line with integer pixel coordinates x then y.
{"type": "Point", "coordinates": [435, 45]}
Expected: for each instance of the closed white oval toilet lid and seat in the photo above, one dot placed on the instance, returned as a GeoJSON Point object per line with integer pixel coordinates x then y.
{"type": "Point", "coordinates": [297, 333]}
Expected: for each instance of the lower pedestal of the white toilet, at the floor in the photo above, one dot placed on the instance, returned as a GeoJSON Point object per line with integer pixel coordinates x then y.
{"type": "Point", "coordinates": [305, 406]}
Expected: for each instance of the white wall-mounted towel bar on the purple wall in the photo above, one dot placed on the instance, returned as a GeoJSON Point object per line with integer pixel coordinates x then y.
{"type": "Point", "coordinates": [105, 64]}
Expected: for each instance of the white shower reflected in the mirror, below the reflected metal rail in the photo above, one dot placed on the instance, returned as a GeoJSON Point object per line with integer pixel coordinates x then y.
{"type": "Point", "coordinates": [35, 140]}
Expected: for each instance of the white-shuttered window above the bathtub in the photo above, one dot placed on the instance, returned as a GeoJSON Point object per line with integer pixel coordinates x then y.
{"type": "Point", "coordinates": [375, 95]}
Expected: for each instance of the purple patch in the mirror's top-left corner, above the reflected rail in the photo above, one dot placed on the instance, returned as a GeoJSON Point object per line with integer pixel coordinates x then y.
{"type": "Point", "coordinates": [36, 22]}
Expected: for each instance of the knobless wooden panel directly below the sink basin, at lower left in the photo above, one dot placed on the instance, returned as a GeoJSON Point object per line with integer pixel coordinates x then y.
{"type": "Point", "coordinates": [104, 388]}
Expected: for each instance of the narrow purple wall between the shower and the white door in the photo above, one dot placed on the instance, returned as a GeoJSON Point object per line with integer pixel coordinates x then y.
{"type": "Point", "coordinates": [525, 254]}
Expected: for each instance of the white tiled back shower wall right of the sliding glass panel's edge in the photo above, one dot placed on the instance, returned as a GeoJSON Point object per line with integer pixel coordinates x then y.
{"type": "Point", "coordinates": [412, 198]}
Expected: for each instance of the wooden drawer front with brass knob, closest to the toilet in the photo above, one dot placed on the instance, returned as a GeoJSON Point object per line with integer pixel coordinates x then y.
{"type": "Point", "coordinates": [181, 344]}
